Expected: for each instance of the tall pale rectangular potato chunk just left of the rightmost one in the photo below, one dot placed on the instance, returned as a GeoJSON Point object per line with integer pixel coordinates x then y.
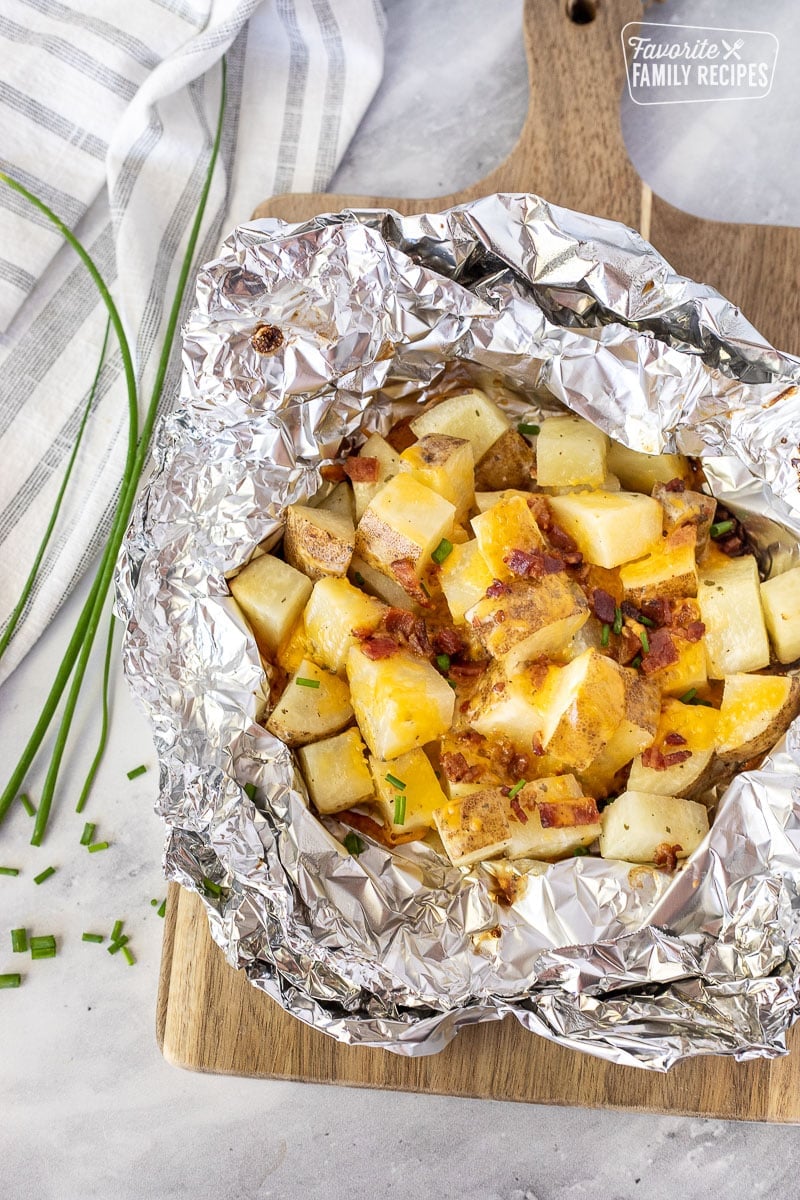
{"type": "Point", "coordinates": [731, 607]}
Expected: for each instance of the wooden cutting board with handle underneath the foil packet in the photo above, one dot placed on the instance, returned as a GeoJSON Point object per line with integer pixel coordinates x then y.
{"type": "Point", "coordinates": [572, 152]}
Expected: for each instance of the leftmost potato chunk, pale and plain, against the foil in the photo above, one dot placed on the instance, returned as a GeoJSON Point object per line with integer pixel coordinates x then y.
{"type": "Point", "coordinates": [272, 595]}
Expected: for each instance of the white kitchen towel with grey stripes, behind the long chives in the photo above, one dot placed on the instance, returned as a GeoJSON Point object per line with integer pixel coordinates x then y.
{"type": "Point", "coordinates": [107, 113]}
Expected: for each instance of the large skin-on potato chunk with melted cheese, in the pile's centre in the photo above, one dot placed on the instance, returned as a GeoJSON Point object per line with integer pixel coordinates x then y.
{"type": "Point", "coordinates": [531, 620]}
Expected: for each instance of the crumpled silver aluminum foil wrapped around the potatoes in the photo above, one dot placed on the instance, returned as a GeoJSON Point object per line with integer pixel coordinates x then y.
{"type": "Point", "coordinates": [401, 951]}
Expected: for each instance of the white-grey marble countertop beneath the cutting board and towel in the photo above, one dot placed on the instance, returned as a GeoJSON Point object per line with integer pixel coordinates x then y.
{"type": "Point", "coordinates": [91, 1108]}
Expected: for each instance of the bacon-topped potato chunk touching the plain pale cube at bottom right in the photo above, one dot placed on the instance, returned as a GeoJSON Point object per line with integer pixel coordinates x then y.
{"type": "Point", "coordinates": [551, 819]}
